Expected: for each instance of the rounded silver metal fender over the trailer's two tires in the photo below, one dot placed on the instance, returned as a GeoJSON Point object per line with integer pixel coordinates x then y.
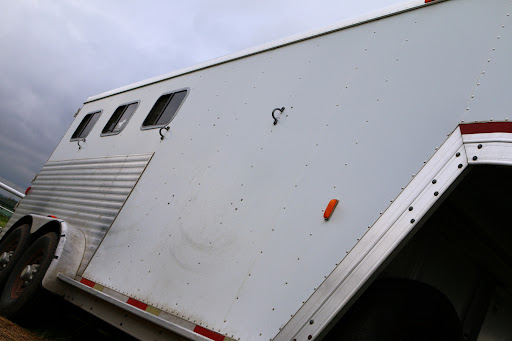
{"type": "Point", "coordinates": [69, 252]}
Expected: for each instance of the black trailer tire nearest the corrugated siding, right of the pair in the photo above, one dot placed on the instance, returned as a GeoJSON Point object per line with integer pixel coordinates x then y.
{"type": "Point", "coordinates": [21, 291]}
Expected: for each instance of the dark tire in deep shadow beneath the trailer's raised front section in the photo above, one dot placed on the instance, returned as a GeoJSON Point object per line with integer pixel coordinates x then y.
{"type": "Point", "coordinates": [399, 309]}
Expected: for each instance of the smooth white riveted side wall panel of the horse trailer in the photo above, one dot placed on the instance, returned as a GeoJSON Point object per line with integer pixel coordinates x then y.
{"type": "Point", "coordinates": [225, 227]}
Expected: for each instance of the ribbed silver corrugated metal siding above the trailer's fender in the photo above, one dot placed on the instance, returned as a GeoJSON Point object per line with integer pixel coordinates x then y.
{"type": "Point", "coordinates": [87, 194]}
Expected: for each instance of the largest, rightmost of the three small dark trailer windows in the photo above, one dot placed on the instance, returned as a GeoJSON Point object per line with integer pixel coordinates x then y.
{"type": "Point", "coordinates": [164, 110]}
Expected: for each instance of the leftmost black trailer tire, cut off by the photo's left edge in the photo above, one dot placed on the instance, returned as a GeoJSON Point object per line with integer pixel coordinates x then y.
{"type": "Point", "coordinates": [11, 249]}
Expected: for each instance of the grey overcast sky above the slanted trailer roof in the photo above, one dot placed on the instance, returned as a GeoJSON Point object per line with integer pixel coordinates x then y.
{"type": "Point", "coordinates": [55, 54]}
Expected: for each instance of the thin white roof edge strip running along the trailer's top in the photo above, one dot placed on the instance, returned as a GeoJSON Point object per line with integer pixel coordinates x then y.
{"type": "Point", "coordinates": [338, 26]}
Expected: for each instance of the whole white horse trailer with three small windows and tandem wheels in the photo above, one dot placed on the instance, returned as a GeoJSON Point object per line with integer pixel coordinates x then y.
{"type": "Point", "coordinates": [348, 184]}
